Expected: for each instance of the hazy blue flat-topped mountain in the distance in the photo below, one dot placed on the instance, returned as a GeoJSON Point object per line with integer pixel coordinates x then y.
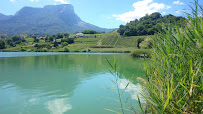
{"type": "Point", "coordinates": [50, 19]}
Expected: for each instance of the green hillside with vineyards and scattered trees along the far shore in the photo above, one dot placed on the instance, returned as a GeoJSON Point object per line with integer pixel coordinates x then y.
{"type": "Point", "coordinates": [104, 42]}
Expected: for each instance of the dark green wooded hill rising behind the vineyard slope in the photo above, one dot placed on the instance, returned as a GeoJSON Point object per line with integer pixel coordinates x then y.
{"type": "Point", "coordinates": [149, 24]}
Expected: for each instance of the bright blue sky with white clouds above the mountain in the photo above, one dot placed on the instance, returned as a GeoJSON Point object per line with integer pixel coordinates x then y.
{"type": "Point", "coordinates": [105, 13]}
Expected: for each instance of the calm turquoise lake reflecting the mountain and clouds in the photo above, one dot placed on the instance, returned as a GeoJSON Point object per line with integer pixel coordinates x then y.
{"type": "Point", "coordinates": [72, 83]}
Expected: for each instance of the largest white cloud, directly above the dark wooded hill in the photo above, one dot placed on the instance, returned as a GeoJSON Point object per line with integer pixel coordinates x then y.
{"type": "Point", "coordinates": [140, 9]}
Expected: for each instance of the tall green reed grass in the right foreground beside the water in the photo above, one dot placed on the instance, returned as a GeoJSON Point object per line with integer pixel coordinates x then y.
{"type": "Point", "coordinates": [174, 76]}
